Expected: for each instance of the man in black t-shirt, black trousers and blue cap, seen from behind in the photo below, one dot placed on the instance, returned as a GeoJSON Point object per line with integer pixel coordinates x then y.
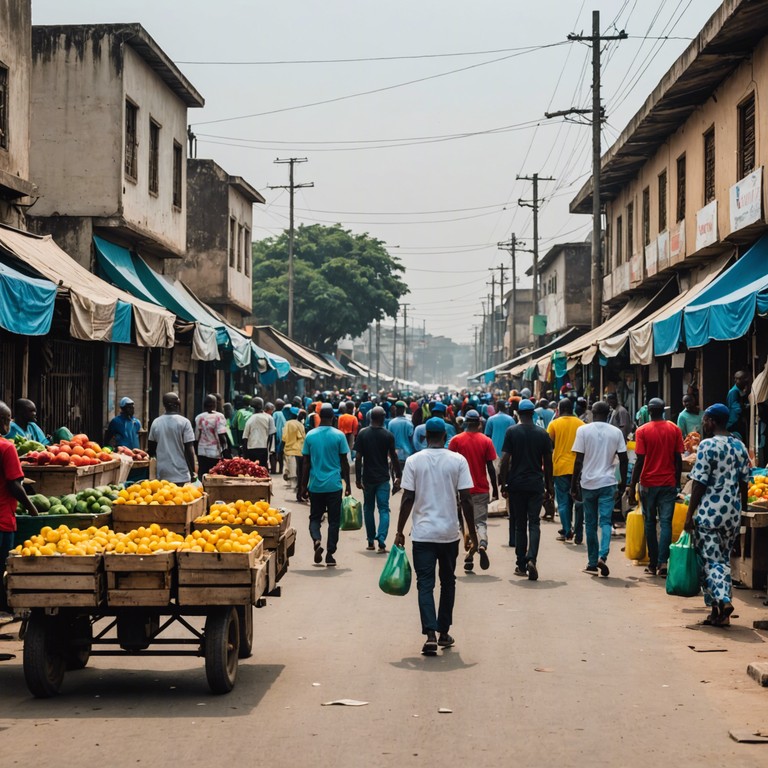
{"type": "Point", "coordinates": [526, 473]}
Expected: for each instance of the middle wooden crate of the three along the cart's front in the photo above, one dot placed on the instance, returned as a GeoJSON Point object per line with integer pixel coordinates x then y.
{"type": "Point", "coordinates": [139, 580]}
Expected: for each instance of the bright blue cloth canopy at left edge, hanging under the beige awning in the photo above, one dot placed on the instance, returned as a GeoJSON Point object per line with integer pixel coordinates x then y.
{"type": "Point", "coordinates": [26, 303]}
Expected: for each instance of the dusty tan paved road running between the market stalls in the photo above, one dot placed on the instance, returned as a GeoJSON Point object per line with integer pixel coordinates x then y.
{"type": "Point", "coordinates": [571, 670]}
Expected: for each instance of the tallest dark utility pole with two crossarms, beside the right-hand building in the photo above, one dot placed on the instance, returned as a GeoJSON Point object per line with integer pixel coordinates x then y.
{"type": "Point", "coordinates": [598, 116]}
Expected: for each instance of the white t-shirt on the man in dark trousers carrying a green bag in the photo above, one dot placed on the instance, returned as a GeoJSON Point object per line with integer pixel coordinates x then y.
{"type": "Point", "coordinates": [436, 475]}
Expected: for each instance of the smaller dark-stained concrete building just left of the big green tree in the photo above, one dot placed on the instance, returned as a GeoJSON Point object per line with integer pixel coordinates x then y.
{"type": "Point", "coordinates": [217, 266]}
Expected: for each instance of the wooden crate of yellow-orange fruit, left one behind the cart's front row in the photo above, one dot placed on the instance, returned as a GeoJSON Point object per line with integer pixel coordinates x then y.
{"type": "Point", "coordinates": [168, 505]}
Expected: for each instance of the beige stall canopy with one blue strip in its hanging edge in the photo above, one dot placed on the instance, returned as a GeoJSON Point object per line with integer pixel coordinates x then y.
{"type": "Point", "coordinates": [99, 311]}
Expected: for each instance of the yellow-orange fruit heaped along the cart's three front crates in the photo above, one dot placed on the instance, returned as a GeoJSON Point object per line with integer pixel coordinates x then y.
{"type": "Point", "coordinates": [143, 541]}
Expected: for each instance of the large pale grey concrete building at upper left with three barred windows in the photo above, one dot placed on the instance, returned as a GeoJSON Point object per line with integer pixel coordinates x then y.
{"type": "Point", "coordinates": [108, 134]}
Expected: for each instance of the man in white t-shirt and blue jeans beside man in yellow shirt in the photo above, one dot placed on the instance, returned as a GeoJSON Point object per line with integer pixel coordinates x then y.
{"type": "Point", "coordinates": [594, 481]}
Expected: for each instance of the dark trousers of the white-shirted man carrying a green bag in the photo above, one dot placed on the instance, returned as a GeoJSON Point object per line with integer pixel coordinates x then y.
{"type": "Point", "coordinates": [427, 556]}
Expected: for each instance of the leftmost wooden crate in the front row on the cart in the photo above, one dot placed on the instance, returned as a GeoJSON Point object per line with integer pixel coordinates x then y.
{"type": "Point", "coordinates": [55, 581]}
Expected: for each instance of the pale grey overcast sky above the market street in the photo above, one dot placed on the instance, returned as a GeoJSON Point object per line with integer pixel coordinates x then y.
{"type": "Point", "coordinates": [388, 163]}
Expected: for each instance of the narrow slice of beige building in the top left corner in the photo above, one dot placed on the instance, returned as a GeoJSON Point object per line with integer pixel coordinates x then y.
{"type": "Point", "coordinates": [17, 192]}
